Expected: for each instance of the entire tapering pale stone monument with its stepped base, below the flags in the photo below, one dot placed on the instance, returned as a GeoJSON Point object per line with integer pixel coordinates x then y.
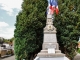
{"type": "Point", "coordinates": [50, 48]}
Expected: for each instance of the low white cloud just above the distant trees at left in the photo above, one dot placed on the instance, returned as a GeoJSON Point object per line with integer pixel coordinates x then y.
{"type": "Point", "coordinates": [6, 31]}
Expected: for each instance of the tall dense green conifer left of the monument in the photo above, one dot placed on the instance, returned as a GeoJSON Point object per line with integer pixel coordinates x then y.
{"type": "Point", "coordinates": [29, 29]}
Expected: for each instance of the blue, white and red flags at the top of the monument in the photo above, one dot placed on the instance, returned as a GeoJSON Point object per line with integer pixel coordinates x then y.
{"type": "Point", "coordinates": [52, 7]}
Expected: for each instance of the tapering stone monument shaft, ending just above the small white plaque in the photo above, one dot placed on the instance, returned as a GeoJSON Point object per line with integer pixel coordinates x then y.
{"type": "Point", "coordinates": [50, 40]}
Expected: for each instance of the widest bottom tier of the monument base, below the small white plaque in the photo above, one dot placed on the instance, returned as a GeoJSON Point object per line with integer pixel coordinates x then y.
{"type": "Point", "coordinates": [47, 56]}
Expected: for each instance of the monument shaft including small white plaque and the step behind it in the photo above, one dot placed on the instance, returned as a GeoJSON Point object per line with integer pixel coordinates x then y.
{"type": "Point", "coordinates": [50, 39]}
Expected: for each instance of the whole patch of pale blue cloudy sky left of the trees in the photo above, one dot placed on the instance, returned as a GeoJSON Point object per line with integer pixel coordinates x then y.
{"type": "Point", "coordinates": [8, 11]}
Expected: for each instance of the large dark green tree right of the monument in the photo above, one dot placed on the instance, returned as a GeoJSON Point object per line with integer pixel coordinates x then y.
{"type": "Point", "coordinates": [67, 23]}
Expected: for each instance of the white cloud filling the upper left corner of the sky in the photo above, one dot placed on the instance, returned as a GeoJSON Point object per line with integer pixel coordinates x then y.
{"type": "Point", "coordinates": [9, 5]}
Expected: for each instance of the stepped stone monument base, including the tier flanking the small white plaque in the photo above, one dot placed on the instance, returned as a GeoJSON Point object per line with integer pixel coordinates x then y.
{"type": "Point", "coordinates": [45, 55]}
